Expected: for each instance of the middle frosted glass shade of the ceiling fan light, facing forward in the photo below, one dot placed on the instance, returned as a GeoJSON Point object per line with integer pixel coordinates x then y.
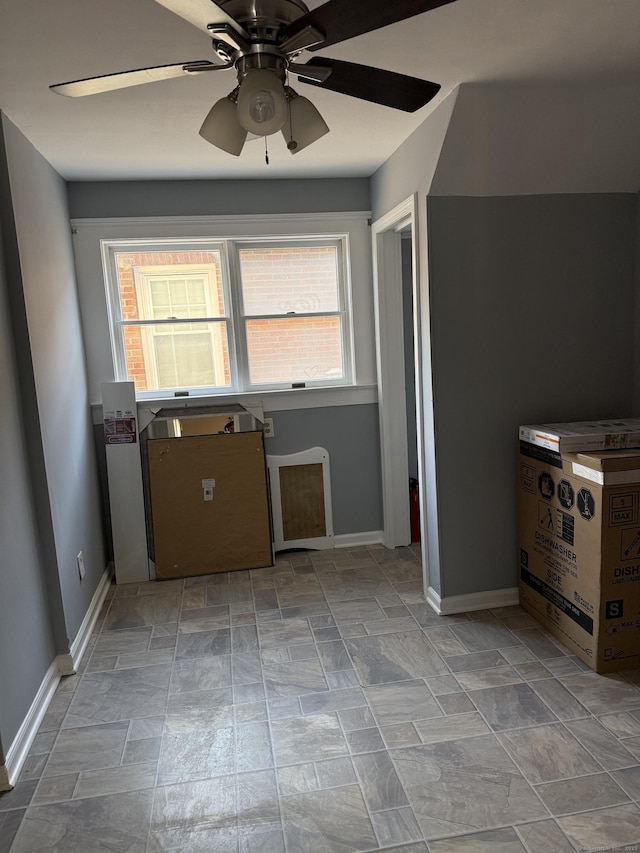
{"type": "Point", "coordinates": [262, 103]}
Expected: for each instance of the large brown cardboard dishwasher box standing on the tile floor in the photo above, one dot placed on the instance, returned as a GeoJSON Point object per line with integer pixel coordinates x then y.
{"type": "Point", "coordinates": [579, 550]}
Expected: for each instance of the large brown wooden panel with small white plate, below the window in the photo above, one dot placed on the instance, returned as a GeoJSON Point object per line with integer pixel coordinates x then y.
{"type": "Point", "coordinates": [209, 504]}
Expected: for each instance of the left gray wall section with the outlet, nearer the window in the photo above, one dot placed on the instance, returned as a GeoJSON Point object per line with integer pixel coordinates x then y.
{"type": "Point", "coordinates": [41, 217]}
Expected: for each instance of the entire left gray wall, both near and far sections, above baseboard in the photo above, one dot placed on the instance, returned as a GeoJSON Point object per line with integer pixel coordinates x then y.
{"type": "Point", "coordinates": [50, 498]}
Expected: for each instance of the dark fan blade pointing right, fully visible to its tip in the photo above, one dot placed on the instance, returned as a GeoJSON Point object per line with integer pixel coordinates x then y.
{"type": "Point", "coordinates": [370, 84]}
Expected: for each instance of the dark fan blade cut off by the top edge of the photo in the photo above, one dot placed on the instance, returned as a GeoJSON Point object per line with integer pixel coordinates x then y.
{"type": "Point", "coordinates": [340, 20]}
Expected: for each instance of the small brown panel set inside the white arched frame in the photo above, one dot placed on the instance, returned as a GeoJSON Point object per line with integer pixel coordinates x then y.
{"type": "Point", "coordinates": [302, 499]}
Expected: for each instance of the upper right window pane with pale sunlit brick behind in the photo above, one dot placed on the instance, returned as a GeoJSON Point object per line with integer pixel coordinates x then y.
{"type": "Point", "coordinates": [302, 279]}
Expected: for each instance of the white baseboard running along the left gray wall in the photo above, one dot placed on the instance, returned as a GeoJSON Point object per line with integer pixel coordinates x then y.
{"type": "Point", "coordinates": [65, 664]}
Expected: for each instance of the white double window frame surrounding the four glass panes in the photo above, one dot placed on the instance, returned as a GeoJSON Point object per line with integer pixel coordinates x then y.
{"type": "Point", "coordinates": [234, 316]}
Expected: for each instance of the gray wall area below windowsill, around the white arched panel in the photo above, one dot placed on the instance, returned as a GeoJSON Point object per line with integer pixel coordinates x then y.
{"type": "Point", "coordinates": [350, 435]}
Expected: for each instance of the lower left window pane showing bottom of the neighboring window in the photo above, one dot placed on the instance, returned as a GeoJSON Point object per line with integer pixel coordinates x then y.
{"type": "Point", "coordinates": [177, 356]}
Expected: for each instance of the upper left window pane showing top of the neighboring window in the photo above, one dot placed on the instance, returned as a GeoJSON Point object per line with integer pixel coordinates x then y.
{"type": "Point", "coordinates": [157, 285]}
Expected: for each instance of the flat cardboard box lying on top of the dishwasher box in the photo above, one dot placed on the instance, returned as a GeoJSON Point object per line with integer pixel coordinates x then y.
{"type": "Point", "coordinates": [588, 435]}
